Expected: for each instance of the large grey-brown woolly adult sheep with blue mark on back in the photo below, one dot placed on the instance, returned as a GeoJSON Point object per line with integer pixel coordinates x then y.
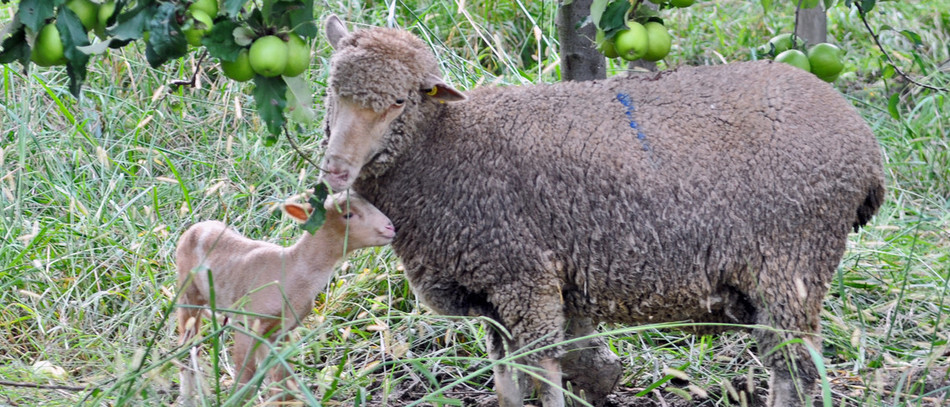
{"type": "Point", "coordinates": [718, 194]}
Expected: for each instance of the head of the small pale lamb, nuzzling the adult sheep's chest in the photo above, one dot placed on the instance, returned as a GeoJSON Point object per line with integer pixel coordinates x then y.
{"type": "Point", "coordinates": [350, 216]}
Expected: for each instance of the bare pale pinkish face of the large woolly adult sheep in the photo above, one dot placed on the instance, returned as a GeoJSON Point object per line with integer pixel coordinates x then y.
{"type": "Point", "coordinates": [356, 135]}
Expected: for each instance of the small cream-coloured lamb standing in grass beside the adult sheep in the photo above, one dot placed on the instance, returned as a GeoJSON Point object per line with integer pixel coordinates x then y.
{"type": "Point", "coordinates": [274, 285]}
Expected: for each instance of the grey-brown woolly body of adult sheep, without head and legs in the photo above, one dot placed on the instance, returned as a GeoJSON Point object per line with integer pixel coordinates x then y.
{"type": "Point", "coordinates": [646, 197]}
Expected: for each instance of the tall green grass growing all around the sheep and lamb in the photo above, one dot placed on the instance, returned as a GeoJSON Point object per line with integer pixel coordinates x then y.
{"type": "Point", "coordinates": [95, 191]}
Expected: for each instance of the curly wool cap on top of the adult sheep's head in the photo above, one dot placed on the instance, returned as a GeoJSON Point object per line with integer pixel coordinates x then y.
{"type": "Point", "coordinates": [376, 66]}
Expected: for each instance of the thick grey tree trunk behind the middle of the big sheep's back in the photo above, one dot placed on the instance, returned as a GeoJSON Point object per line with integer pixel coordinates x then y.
{"type": "Point", "coordinates": [580, 60]}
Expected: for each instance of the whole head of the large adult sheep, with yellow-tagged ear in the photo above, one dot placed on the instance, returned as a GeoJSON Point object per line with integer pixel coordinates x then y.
{"type": "Point", "coordinates": [379, 79]}
